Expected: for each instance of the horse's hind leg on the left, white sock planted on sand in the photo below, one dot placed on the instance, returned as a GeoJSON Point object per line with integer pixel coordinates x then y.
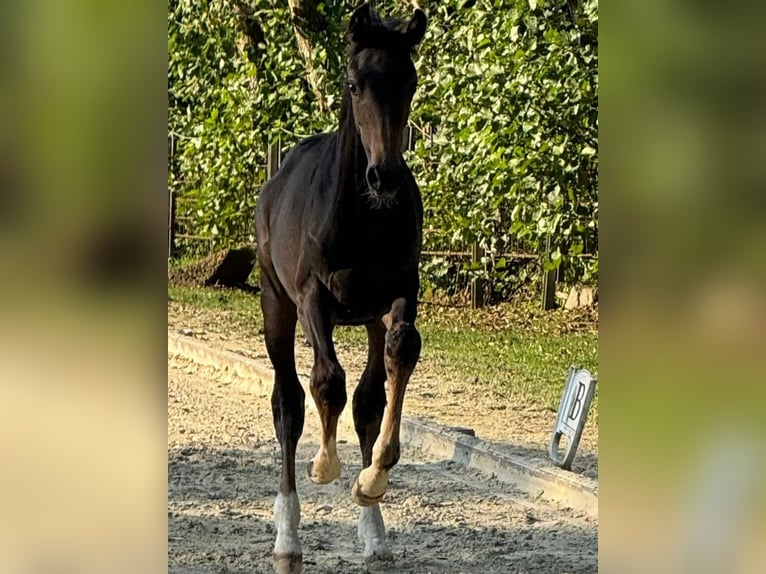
{"type": "Point", "coordinates": [287, 404]}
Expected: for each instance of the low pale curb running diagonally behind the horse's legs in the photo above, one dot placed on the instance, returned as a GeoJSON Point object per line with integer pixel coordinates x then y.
{"type": "Point", "coordinates": [534, 478]}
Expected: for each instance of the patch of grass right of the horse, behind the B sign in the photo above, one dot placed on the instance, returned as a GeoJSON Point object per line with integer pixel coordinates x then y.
{"type": "Point", "coordinates": [515, 347]}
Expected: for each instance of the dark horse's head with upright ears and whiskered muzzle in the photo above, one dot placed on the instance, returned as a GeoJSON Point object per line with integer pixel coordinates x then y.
{"type": "Point", "coordinates": [381, 80]}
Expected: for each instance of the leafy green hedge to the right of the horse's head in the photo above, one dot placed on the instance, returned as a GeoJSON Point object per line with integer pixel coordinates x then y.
{"type": "Point", "coordinates": [514, 102]}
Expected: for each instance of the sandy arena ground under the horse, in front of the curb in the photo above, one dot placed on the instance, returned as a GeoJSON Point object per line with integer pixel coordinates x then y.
{"type": "Point", "coordinates": [223, 467]}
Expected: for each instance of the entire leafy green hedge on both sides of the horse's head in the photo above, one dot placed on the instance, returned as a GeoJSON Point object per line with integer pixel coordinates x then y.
{"type": "Point", "coordinates": [508, 89]}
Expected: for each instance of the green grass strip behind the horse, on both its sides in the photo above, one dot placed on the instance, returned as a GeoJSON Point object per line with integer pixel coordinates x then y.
{"type": "Point", "coordinates": [513, 347]}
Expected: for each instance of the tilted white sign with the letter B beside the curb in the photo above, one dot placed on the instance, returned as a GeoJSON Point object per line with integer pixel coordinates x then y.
{"type": "Point", "coordinates": [573, 410]}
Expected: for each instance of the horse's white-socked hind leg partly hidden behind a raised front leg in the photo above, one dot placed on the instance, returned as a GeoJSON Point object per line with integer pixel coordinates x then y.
{"type": "Point", "coordinates": [369, 403]}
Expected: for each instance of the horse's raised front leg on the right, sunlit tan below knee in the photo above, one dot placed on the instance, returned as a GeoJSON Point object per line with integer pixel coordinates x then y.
{"type": "Point", "coordinates": [402, 350]}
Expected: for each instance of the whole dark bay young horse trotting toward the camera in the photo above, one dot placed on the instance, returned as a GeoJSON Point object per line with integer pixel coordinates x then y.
{"type": "Point", "coordinates": [339, 232]}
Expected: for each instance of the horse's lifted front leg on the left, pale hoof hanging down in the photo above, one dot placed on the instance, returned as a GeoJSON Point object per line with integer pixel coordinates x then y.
{"type": "Point", "coordinates": [328, 381]}
